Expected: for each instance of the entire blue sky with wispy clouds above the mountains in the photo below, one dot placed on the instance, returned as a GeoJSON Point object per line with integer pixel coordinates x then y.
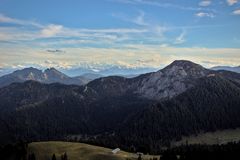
{"type": "Point", "coordinates": [130, 33]}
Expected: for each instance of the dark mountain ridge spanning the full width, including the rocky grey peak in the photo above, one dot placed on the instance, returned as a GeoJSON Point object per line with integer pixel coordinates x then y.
{"type": "Point", "coordinates": [143, 113]}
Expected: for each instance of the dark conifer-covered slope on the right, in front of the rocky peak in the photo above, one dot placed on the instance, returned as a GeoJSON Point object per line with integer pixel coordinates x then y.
{"type": "Point", "coordinates": [199, 109]}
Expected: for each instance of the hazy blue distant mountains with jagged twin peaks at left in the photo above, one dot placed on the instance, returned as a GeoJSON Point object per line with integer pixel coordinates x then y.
{"type": "Point", "coordinates": [53, 75]}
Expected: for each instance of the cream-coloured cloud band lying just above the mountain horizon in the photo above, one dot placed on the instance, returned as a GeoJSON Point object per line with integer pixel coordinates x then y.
{"type": "Point", "coordinates": [128, 55]}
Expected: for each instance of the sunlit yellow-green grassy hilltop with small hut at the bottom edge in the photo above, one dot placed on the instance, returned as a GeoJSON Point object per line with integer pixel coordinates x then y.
{"type": "Point", "coordinates": [78, 151]}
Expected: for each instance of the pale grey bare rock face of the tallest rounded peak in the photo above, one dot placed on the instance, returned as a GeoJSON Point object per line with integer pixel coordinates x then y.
{"type": "Point", "coordinates": [171, 81]}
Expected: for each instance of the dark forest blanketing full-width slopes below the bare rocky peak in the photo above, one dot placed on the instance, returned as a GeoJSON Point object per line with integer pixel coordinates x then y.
{"type": "Point", "coordinates": [128, 122]}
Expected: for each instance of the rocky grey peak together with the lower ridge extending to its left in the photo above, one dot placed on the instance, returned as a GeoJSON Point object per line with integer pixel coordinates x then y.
{"type": "Point", "coordinates": [163, 84]}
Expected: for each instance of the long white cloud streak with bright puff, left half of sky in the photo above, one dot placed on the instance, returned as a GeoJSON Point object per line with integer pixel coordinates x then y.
{"type": "Point", "coordinates": [15, 34]}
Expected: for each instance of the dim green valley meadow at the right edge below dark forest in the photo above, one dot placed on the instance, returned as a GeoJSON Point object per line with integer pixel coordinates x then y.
{"type": "Point", "coordinates": [218, 137]}
